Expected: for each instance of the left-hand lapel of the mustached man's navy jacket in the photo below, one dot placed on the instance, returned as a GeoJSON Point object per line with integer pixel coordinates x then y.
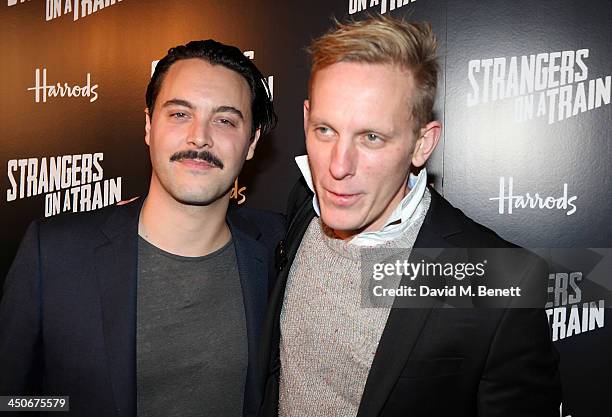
{"type": "Point", "coordinates": [116, 271]}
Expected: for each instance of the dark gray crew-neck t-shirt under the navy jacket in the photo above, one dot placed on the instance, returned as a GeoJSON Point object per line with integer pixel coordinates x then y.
{"type": "Point", "coordinates": [191, 341]}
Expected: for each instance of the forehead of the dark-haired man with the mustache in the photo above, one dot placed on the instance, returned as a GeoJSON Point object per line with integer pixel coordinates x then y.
{"type": "Point", "coordinates": [200, 82]}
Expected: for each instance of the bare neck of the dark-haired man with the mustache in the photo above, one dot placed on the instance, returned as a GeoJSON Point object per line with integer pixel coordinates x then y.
{"type": "Point", "coordinates": [182, 229]}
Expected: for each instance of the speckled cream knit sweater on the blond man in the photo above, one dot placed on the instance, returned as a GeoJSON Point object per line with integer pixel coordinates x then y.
{"type": "Point", "coordinates": [328, 340]}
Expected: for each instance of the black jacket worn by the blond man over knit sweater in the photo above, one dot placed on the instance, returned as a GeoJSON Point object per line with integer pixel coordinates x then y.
{"type": "Point", "coordinates": [439, 362]}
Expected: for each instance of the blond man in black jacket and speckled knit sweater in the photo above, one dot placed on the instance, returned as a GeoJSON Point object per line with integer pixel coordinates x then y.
{"type": "Point", "coordinates": [368, 124]}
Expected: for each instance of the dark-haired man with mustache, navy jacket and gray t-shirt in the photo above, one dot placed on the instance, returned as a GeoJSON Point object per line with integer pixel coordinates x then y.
{"type": "Point", "coordinates": [154, 308]}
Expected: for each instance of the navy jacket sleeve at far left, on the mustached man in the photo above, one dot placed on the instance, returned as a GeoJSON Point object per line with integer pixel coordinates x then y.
{"type": "Point", "coordinates": [20, 312]}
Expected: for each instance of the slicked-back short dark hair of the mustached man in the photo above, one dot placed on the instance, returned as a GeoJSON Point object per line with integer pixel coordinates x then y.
{"type": "Point", "coordinates": [230, 57]}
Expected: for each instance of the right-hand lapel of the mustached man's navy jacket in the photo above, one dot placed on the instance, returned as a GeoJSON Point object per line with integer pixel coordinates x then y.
{"type": "Point", "coordinates": [251, 259]}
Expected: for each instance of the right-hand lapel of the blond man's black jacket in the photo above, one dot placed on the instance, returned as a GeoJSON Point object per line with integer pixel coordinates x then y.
{"type": "Point", "coordinates": [405, 324]}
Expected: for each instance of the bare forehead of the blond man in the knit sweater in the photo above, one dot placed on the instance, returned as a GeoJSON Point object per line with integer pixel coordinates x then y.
{"type": "Point", "coordinates": [363, 88]}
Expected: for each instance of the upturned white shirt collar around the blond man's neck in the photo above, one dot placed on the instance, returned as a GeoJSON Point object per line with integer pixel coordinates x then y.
{"type": "Point", "coordinates": [397, 222]}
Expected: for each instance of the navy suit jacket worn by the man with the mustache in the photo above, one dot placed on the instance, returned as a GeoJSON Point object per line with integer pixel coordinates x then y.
{"type": "Point", "coordinates": [68, 314]}
